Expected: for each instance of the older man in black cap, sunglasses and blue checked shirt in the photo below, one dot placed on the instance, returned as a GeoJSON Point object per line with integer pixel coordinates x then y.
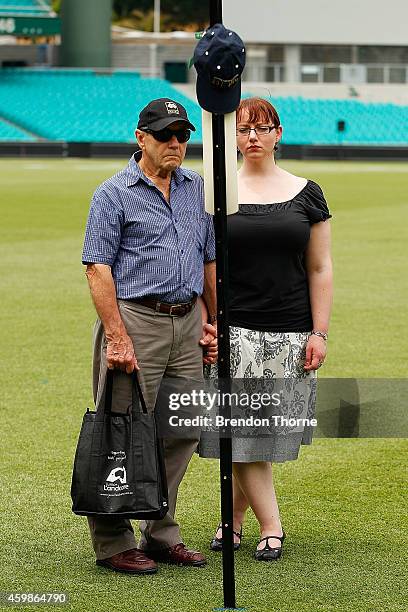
{"type": "Point", "coordinates": [149, 251]}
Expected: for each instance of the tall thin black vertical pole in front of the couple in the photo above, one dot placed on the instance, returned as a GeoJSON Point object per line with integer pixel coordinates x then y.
{"type": "Point", "coordinates": [220, 223]}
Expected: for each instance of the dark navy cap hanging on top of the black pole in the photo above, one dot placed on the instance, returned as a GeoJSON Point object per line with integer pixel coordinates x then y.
{"type": "Point", "coordinates": [219, 59]}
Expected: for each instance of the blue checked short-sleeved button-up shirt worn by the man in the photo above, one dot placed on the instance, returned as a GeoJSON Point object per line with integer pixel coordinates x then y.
{"type": "Point", "coordinates": [154, 248]}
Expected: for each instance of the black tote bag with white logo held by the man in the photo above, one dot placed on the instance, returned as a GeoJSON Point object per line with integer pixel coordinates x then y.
{"type": "Point", "coordinates": [119, 466]}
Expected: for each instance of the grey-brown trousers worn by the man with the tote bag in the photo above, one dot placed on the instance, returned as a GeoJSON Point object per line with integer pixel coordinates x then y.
{"type": "Point", "coordinates": [164, 346]}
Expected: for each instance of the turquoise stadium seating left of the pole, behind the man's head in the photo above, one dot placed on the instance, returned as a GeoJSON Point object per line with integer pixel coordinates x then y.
{"type": "Point", "coordinates": [73, 105]}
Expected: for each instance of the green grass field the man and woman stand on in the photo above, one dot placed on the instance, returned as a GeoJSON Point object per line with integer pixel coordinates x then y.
{"type": "Point", "coordinates": [343, 503]}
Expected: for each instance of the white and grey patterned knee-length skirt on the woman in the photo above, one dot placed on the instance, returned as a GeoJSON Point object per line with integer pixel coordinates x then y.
{"type": "Point", "coordinates": [269, 355]}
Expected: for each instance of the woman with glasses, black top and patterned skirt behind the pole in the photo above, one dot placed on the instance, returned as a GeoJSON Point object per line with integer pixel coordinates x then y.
{"type": "Point", "coordinates": [280, 300]}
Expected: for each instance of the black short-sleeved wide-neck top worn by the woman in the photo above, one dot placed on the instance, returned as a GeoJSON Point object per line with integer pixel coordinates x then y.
{"type": "Point", "coordinates": [268, 285]}
